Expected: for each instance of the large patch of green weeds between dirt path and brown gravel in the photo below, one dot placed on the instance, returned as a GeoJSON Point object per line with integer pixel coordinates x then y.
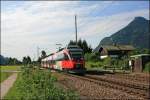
{"type": "Point", "coordinates": [39, 85]}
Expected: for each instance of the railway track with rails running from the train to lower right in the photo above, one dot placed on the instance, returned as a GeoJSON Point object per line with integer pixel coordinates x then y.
{"type": "Point", "coordinates": [128, 88]}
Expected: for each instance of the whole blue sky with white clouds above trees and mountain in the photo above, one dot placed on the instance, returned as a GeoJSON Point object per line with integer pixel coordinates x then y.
{"type": "Point", "coordinates": [28, 25]}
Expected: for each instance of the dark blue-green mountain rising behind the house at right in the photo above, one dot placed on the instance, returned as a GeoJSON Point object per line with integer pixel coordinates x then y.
{"type": "Point", "coordinates": [136, 33]}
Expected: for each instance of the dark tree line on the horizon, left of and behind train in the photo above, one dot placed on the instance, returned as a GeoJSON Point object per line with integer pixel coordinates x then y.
{"type": "Point", "coordinates": [27, 60]}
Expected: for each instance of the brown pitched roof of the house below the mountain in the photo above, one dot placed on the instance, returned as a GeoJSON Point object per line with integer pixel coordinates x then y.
{"type": "Point", "coordinates": [114, 47]}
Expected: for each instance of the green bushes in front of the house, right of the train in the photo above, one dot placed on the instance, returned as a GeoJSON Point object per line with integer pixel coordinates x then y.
{"type": "Point", "coordinates": [92, 61]}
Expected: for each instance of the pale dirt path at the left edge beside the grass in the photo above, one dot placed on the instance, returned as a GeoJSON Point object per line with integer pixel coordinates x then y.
{"type": "Point", "coordinates": [7, 84]}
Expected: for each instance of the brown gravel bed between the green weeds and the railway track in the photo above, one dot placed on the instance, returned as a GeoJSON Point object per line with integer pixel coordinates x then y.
{"type": "Point", "coordinates": [89, 90]}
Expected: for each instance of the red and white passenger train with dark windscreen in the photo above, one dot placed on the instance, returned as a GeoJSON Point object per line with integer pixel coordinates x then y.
{"type": "Point", "coordinates": [69, 59]}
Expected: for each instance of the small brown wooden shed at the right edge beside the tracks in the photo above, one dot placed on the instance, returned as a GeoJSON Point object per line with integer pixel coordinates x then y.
{"type": "Point", "coordinates": [139, 62]}
